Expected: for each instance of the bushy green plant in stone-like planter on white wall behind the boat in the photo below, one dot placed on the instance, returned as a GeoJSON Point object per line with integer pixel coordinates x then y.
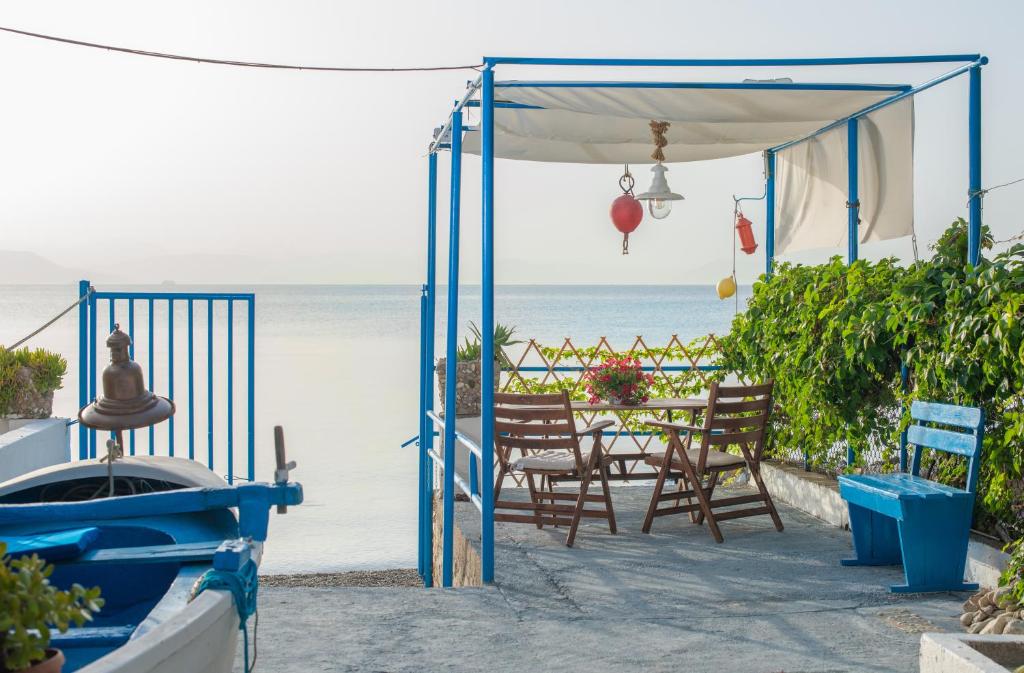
{"type": "Point", "coordinates": [28, 380]}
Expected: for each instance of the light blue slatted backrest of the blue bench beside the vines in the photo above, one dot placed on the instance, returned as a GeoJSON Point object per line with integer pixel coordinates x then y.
{"type": "Point", "coordinates": [967, 444]}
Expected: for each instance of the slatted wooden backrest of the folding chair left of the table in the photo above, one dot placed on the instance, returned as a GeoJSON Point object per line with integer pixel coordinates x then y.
{"type": "Point", "coordinates": [535, 423]}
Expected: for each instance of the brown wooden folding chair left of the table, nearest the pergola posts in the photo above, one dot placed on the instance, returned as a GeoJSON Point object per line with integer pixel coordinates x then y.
{"type": "Point", "coordinates": [542, 429]}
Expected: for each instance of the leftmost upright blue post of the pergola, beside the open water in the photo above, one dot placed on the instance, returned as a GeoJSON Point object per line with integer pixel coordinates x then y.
{"type": "Point", "coordinates": [428, 441]}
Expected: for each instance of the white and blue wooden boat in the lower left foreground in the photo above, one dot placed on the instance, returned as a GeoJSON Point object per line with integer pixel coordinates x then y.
{"type": "Point", "coordinates": [181, 530]}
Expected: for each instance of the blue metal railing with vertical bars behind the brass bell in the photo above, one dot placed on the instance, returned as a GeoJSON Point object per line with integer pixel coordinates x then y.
{"type": "Point", "coordinates": [121, 306]}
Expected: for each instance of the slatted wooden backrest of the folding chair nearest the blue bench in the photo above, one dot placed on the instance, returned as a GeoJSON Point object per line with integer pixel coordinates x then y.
{"type": "Point", "coordinates": [737, 415]}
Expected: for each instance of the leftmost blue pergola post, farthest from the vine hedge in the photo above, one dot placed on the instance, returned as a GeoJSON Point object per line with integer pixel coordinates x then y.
{"type": "Point", "coordinates": [428, 311]}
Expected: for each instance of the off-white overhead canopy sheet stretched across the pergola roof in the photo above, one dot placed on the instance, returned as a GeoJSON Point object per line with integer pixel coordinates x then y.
{"type": "Point", "coordinates": [608, 122]}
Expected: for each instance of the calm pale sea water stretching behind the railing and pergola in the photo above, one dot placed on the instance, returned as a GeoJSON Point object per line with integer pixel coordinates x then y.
{"type": "Point", "coordinates": [338, 367]}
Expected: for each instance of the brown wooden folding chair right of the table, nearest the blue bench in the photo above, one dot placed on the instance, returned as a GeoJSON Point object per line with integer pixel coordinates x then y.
{"type": "Point", "coordinates": [737, 416]}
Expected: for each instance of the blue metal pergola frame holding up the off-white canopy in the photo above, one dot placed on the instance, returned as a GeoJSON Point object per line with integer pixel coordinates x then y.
{"type": "Point", "coordinates": [450, 138]}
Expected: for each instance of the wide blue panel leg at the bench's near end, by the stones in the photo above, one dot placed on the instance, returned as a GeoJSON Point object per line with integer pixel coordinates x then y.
{"type": "Point", "coordinates": [934, 543]}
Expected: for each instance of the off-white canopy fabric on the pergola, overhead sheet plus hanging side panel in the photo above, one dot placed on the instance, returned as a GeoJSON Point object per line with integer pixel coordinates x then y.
{"type": "Point", "coordinates": [609, 123]}
